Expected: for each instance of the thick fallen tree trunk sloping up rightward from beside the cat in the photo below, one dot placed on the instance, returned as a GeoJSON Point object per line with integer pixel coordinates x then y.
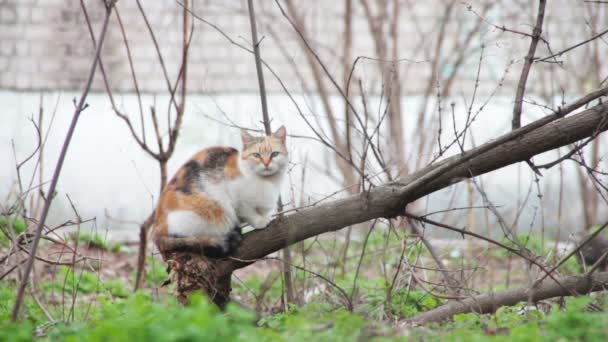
{"type": "Point", "coordinates": [389, 200]}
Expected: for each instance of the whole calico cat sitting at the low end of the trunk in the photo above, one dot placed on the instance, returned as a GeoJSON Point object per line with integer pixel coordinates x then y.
{"type": "Point", "coordinates": [219, 187]}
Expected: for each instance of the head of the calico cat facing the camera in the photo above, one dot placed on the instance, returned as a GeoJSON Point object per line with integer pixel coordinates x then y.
{"type": "Point", "coordinates": [265, 156]}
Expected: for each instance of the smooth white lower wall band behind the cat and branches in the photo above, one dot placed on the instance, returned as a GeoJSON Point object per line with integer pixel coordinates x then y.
{"type": "Point", "coordinates": [106, 172]}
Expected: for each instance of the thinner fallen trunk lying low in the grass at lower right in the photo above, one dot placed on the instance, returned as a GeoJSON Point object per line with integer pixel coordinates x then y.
{"type": "Point", "coordinates": [489, 302]}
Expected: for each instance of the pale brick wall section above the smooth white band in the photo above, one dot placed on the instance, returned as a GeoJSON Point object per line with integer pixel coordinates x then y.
{"type": "Point", "coordinates": [45, 44]}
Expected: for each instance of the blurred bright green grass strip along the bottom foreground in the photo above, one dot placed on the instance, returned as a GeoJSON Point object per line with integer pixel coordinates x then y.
{"type": "Point", "coordinates": [140, 317]}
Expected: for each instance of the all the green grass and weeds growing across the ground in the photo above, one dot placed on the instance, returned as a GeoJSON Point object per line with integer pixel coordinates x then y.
{"type": "Point", "coordinates": [106, 310]}
